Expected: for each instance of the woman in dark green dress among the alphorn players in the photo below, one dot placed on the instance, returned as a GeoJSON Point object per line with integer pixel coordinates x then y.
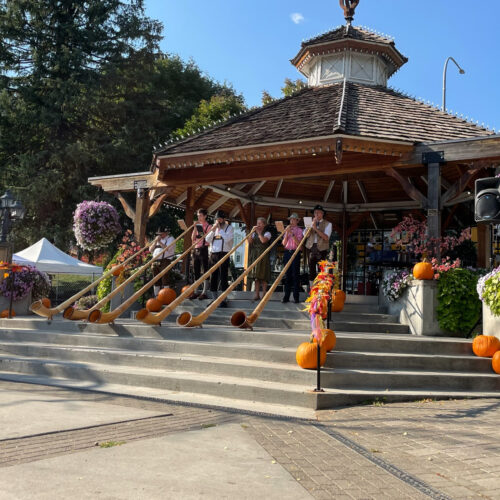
{"type": "Point", "coordinates": [259, 241]}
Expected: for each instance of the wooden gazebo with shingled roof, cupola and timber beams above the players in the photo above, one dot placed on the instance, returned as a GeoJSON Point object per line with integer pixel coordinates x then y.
{"type": "Point", "coordinates": [367, 152]}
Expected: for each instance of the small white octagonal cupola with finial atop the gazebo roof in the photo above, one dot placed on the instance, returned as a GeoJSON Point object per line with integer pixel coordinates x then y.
{"type": "Point", "coordinates": [348, 52]}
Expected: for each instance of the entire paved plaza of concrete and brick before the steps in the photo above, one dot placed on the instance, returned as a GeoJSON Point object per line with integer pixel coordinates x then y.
{"type": "Point", "coordinates": [59, 443]}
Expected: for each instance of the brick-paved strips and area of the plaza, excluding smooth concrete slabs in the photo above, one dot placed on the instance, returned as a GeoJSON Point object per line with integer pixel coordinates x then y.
{"type": "Point", "coordinates": [443, 449]}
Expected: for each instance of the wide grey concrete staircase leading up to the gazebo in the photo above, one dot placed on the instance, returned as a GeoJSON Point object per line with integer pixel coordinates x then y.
{"type": "Point", "coordinates": [375, 359]}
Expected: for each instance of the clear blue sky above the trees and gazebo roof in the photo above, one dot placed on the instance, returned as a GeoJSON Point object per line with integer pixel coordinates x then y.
{"type": "Point", "coordinates": [249, 44]}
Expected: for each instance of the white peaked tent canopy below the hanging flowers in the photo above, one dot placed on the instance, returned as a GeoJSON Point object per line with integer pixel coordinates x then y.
{"type": "Point", "coordinates": [48, 258]}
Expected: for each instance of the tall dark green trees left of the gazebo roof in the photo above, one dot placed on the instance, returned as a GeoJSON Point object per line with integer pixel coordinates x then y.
{"type": "Point", "coordinates": [84, 91]}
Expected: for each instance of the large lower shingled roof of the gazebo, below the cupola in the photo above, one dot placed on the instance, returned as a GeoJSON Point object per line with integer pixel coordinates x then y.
{"type": "Point", "coordinates": [358, 110]}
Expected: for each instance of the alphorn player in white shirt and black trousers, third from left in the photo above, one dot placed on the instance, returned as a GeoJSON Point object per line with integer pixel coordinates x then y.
{"type": "Point", "coordinates": [220, 238]}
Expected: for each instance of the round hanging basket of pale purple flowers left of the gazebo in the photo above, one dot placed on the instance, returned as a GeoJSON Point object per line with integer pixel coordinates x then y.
{"type": "Point", "coordinates": [95, 224]}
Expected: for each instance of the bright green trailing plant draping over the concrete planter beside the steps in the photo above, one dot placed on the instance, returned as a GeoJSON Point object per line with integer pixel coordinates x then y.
{"type": "Point", "coordinates": [459, 306]}
